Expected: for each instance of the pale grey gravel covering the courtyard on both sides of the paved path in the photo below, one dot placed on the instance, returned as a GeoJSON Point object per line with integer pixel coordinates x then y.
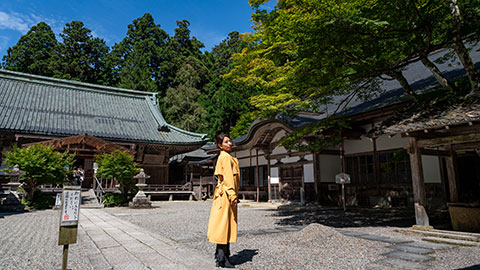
{"type": "Point", "coordinates": [29, 240]}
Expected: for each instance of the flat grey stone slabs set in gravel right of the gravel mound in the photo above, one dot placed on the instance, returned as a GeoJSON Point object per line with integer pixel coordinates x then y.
{"type": "Point", "coordinates": [406, 254]}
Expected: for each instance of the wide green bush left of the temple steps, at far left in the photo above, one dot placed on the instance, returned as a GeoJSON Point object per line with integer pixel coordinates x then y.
{"type": "Point", "coordinates": [41, 165]}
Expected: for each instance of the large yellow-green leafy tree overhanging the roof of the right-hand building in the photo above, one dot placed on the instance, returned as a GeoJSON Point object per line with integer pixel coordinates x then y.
{"type": "Point", "coordinates": [308, 52]}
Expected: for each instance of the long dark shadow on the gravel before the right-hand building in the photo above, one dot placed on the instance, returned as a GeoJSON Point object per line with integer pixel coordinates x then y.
{"type": "Point", "coordinates": [358, 217]}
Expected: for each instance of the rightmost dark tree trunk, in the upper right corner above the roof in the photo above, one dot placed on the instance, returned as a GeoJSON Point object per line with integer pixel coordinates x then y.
{"type": "Point", "coordinates": [461, 50]}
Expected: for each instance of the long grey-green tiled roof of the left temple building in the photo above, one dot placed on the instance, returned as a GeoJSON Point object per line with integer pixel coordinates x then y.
{"type": "Point", "coordinates": [32, 104]}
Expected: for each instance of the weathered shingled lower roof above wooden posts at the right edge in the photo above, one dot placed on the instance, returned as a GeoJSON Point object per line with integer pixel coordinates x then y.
{"type": "Point", "coordinates": [435, 117]}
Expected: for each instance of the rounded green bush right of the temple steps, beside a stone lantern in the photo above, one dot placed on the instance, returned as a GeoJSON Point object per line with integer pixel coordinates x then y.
{"type": "Point", "coordinates": [120, 166]}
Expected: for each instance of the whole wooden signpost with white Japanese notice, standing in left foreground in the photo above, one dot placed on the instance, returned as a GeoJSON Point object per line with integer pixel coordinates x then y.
{"type": "Point", "coordinates": [69, 214]}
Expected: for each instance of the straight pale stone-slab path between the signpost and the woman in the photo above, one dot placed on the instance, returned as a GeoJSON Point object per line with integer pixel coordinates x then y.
{"type": "Point", "coordinates": [112, 243]}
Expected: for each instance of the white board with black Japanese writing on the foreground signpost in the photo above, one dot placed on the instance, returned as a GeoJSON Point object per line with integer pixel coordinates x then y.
{"type": "Point", "coordinates": [70, 206]}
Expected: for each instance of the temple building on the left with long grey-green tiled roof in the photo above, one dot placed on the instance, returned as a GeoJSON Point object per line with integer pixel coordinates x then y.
{"type": "Point", "coordinates": [87, 119]}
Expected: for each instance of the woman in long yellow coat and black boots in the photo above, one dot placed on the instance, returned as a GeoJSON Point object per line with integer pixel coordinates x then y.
{"type": "Point", "coordinates": [222, 226]}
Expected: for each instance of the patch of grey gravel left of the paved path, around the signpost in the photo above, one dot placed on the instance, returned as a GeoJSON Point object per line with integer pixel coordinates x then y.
{"type": "Point", "coordinates": [29, 241]}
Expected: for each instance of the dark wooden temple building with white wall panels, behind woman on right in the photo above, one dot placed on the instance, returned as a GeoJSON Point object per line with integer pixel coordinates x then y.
{"type": "Point", "coordinates": [394, 159]}
